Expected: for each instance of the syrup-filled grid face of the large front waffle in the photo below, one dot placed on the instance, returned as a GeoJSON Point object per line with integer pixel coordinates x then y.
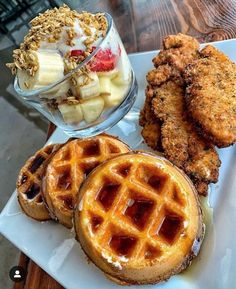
{"type": "Point", "coordinates": [122, 230]}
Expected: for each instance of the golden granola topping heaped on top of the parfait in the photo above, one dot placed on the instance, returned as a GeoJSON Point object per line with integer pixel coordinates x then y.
{"type": "Point", "coordinates": [48, 27]}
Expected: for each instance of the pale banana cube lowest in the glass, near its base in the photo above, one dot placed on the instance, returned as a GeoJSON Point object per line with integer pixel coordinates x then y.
{"type": "Point", "coordinates": [72, 113]}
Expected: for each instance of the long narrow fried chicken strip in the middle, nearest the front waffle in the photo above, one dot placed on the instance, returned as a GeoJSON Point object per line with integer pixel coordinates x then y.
{"type": "Point", "coordinates": [181, 143]}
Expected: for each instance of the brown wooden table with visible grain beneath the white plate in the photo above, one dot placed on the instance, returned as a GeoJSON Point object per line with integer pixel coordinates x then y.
{"type": "Point", "coordinates": [142, 26]}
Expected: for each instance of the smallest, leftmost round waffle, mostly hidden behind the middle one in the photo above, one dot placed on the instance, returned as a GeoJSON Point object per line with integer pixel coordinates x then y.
{"type": "Point", "coordinates": [29, 183]}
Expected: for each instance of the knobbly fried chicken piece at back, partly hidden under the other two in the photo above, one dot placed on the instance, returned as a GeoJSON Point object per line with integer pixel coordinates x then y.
{"type": "Point", "coordinates": [179, 50]}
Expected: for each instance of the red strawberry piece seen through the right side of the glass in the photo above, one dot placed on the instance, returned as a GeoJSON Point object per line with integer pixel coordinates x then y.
{"type": "Point", "coordinates": [104, 60]}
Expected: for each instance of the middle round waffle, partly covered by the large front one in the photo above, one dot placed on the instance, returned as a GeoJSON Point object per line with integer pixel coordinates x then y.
{"type": "Point", "coordinates": [68, 169]}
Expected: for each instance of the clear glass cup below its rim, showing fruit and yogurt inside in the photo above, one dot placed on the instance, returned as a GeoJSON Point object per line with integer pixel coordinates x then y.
{"type": "Point", "coordinates": [67, 102]}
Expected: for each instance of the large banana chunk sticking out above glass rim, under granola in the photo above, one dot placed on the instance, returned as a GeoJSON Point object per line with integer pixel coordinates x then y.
{"type": "Point", "coordinates": [50, 70]}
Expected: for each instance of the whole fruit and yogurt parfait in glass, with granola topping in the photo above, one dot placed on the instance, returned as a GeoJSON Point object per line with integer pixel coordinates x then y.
{"type": "Point", "coordinates": [72, 66]}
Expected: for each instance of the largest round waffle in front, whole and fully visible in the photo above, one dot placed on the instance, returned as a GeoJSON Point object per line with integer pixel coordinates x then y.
{"type": "Point", "coordinates": [138, 219]}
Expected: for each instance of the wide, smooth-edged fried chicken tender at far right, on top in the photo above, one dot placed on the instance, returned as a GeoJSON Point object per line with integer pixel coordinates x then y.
{"type": "Point", "coordinates": [211, 96]}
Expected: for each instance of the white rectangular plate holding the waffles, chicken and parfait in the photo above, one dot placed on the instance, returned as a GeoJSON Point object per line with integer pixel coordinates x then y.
{"type": "Point", "coordinates": [54, 248]}
